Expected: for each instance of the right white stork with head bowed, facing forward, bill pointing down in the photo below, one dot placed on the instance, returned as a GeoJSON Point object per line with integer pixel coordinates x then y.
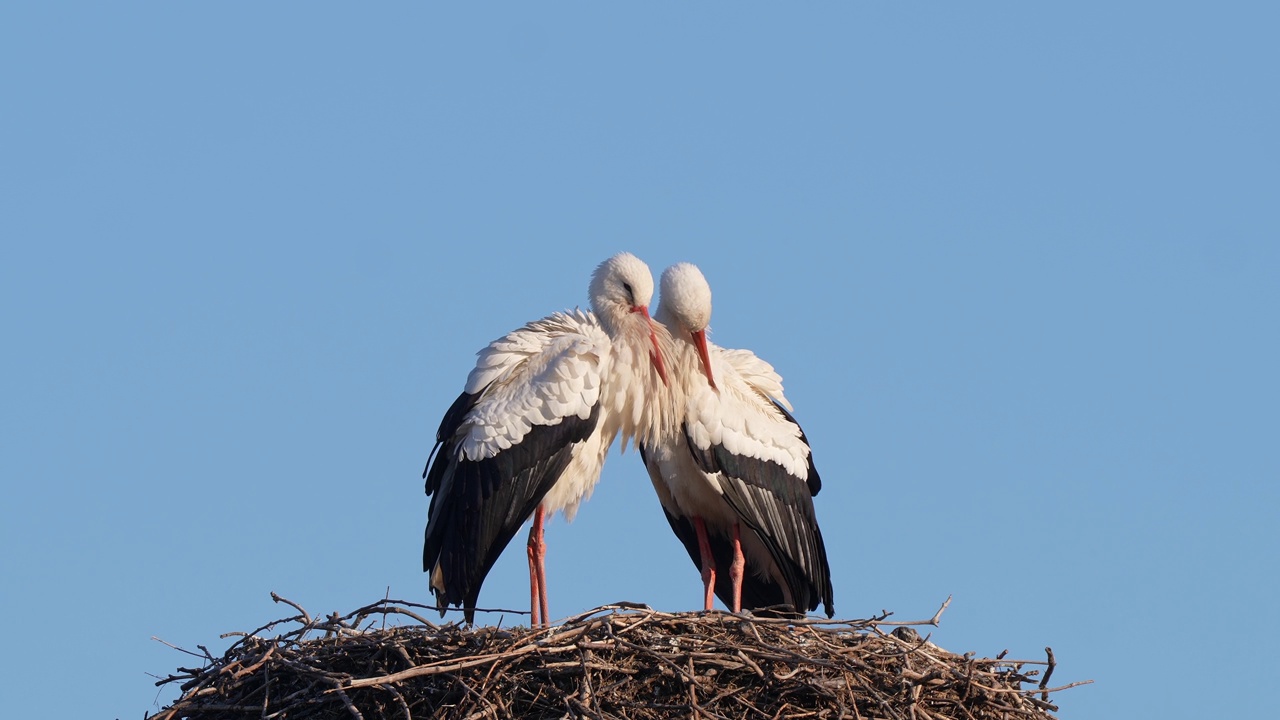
{"type": "Point", "coordinates": [737, 477]}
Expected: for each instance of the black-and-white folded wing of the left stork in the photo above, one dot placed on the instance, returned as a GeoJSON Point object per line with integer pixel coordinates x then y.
{"type": "Point", "coordinates": [531, 403]}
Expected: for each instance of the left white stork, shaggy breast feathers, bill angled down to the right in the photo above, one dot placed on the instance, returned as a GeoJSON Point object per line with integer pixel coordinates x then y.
{"type": "Point", "coordinates": [532, 429]}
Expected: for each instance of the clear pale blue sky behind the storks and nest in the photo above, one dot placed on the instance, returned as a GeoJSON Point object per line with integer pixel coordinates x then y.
{"type": "Point", "coordinates": [1018, 263]}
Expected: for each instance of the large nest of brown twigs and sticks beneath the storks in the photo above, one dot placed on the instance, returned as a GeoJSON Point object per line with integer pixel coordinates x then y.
{"type": "Point", "coordinates": [623, 662]}
